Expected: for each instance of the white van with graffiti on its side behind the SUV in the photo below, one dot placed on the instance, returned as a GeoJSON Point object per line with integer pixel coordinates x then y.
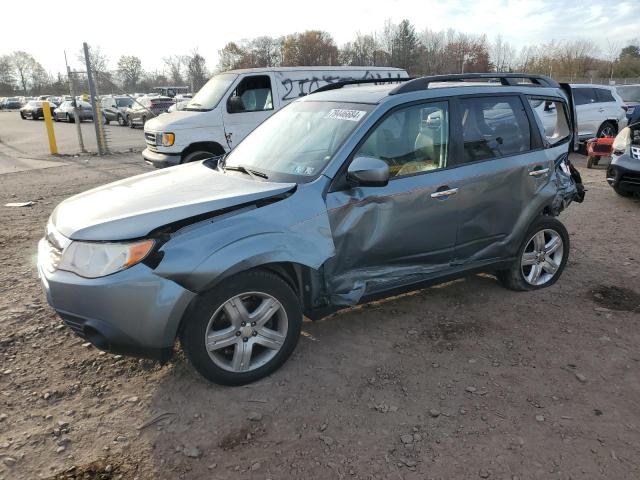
{"type": "Point", "coordinates": [233, 103]}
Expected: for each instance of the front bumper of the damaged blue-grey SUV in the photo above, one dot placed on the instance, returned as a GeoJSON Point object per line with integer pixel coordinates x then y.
{"type": "Point", "coordinates": [132, 312]}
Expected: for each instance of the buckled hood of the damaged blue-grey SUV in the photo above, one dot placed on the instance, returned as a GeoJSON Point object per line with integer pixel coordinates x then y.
{"type": "Point", "coordinates": [133, 207]}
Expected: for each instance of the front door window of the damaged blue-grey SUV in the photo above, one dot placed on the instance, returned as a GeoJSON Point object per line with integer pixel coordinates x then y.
{"type": "Point", "coordinates": [411, 140]}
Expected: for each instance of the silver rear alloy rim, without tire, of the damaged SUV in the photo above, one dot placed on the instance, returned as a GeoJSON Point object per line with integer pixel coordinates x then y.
{"type": "Point", "coordinates": [542, 257]}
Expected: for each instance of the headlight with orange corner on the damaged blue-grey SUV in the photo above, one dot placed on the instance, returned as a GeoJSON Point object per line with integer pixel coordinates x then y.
{"type": "Point", "coordinates": [93, 259]}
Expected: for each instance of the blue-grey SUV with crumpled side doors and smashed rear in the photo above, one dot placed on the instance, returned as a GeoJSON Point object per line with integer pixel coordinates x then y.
{"type": "Point", "coordinates": [350, 194]}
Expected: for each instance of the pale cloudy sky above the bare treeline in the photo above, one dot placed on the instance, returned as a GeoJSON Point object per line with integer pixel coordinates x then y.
{"type": "Point", "coordinates": [155, 29]}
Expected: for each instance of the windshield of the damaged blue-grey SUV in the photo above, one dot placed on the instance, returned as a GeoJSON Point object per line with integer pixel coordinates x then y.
{"type": "Point", "coordinates": [296, 143]}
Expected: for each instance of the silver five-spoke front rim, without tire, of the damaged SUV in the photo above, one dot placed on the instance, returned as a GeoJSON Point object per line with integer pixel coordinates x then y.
{"type": "Point", "coordinates": [246, 332]}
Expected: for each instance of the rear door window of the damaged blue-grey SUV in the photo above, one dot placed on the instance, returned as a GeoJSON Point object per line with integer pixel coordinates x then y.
{"type": "Point", "coordinates": [494, 127]}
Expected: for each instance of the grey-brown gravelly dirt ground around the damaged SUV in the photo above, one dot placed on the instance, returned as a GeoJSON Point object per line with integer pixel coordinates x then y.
{"type": "Point", "coordinates": [463, 380]}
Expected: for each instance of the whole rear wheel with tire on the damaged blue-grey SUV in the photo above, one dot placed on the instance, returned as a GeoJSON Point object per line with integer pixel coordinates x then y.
{"type": "Point", "coordinates": [541, 258]}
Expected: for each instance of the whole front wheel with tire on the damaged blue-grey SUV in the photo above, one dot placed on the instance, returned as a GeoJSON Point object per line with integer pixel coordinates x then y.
{"type": "Point", "coordinates": [244, 329]}
